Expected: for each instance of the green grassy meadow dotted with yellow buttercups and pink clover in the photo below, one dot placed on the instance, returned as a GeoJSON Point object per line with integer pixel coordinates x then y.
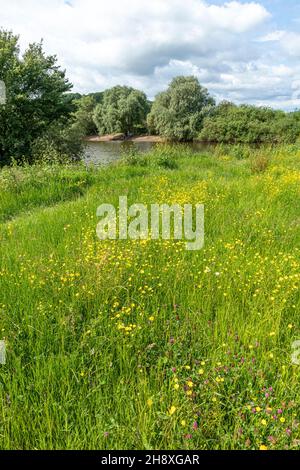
{"type": "Point", "coordinates": [142, 344]}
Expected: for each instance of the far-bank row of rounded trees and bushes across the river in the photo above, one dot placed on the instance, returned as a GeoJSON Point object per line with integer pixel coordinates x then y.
{"type": "Point", "coordinates": [186, 111]}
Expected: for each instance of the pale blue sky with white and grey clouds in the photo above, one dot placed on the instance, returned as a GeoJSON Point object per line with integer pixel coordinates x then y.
{"type": "Point", "coordinates": [243, 51]}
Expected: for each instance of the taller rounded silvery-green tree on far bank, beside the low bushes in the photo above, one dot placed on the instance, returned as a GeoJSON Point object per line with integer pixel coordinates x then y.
{"type": "Point", "coordinates": [177, 113]}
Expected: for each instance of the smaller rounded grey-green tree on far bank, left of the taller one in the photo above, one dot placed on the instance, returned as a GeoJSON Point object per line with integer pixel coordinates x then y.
{"type": "Point", "coordinates": [123, 110]}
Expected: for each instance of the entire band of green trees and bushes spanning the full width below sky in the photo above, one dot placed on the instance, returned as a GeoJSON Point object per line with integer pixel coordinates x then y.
{"type": "Point", "coordinates": [43, 119]}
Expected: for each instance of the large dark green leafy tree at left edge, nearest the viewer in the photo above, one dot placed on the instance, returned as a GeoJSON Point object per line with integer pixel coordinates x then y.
{"type": "Point", "coordinates": [36, 91]}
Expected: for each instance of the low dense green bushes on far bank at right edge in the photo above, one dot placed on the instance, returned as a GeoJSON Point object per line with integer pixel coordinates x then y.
{"type": "Point", "coordinates": [249, 124]}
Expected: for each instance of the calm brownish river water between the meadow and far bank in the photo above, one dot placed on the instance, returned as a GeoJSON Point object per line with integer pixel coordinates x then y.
{"type": "Point", "coordinates": [102, 153]}
